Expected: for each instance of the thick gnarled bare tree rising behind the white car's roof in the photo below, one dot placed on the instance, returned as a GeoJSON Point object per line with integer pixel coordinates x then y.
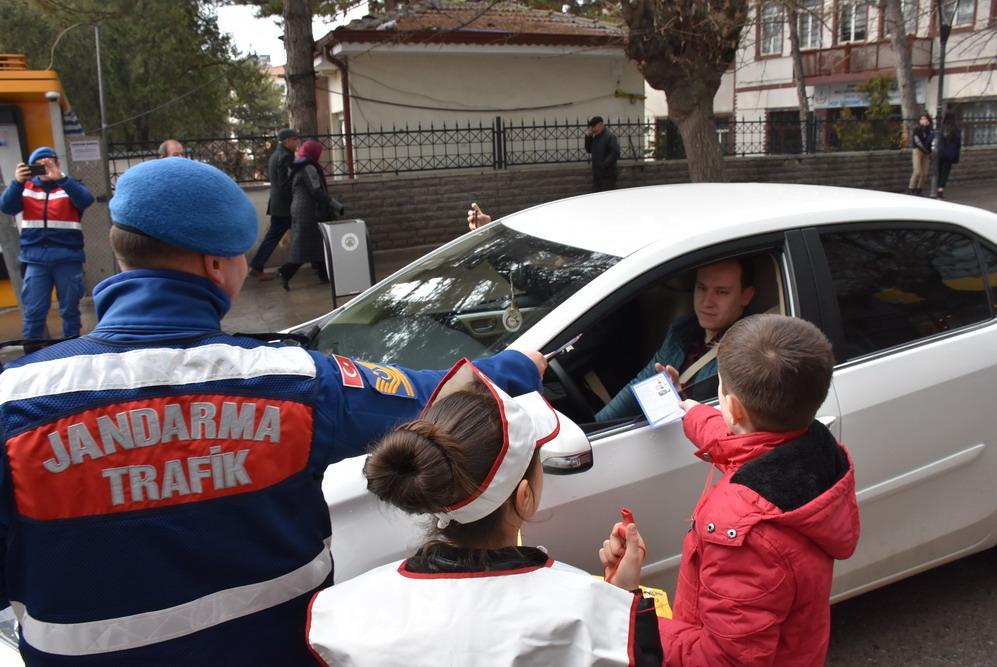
{"type": "Point", "coordinates": [683, 47]}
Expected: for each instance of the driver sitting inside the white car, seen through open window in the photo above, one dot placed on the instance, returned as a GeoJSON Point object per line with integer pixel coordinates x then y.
{"type": "Point", "coordinates": [721, 297]}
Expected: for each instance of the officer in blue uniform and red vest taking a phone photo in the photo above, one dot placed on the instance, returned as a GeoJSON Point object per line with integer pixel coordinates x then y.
{"type": "Point", "coordinates": [51, 240]}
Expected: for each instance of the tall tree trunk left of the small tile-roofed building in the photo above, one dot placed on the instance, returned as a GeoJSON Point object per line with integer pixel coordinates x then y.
{"type": "Point", "coordinates": [300, 71]}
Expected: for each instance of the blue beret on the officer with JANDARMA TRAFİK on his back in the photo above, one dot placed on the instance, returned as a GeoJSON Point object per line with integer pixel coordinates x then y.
{"type": "Point", "coordinates": [187, 204]}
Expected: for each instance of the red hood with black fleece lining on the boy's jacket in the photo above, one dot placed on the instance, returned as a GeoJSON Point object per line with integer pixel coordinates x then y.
{"type": "Point", "coordinates": [806, 484]}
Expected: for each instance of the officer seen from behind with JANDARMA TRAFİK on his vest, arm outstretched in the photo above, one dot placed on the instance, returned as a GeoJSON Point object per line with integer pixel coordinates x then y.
{"type": "Point", "coordinates": [163, 499]}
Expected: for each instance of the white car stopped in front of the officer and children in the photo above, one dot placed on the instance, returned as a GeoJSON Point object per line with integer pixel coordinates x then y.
{"type": "Point", "coordinates": [905, 287]}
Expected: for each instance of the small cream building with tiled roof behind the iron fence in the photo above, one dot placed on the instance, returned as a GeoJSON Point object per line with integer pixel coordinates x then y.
{"type": "Point", "coordinates": [468, 65]}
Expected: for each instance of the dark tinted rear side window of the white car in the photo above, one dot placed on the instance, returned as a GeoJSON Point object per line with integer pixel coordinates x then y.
{"type": "Point", "coordinates": [898, 285]}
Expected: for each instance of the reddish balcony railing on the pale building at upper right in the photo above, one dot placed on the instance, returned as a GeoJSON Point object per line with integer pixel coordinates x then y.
{"type": "Point", "coordinates": [863, 58]}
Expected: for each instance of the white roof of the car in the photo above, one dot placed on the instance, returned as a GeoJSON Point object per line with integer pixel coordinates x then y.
{"type": "Point", "coordinates": [622, 222]}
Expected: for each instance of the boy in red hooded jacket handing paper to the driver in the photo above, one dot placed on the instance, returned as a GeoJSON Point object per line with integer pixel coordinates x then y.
{"type": "Point", "coordinates": [757, 562]}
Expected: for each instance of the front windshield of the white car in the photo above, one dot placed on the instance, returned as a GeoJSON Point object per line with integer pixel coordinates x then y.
{"type": "Point", "coordinates": [471, 299]}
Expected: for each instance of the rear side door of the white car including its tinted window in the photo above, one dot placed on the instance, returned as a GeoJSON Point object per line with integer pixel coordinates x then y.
{"type": "Point", "coordinates": [912, 322]}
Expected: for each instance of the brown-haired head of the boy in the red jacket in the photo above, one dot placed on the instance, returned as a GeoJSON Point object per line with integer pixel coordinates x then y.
{"type": "Point", "coordinates": [778, 367]}
